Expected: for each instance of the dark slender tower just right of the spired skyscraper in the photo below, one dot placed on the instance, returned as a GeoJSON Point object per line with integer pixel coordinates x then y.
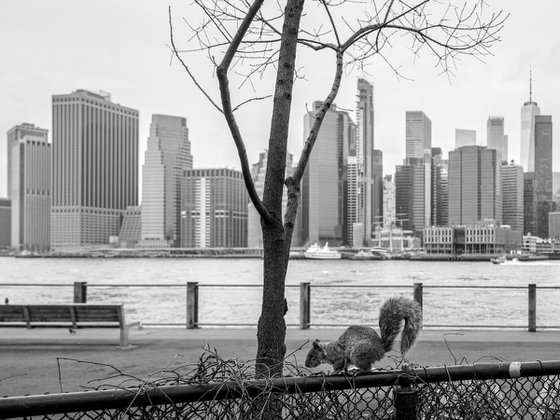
{"type": "Point", "coordinates": [543, 172]}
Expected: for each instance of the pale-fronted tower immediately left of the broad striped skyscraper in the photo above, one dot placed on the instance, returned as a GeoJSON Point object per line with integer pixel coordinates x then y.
{"type": "Point", "coordinates": [30, 189]}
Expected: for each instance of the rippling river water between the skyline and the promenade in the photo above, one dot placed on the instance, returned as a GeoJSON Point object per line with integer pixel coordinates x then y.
{"type": "Point", "coordinates": [155, 290]}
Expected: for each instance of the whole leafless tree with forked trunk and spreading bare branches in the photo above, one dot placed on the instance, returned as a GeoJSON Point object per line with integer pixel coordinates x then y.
{"type": "Point", "coordinates": [246, 35]}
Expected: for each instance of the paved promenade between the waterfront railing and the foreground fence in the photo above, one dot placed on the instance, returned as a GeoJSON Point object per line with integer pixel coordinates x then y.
{"type": "Point", "coordinates": [54, 360]}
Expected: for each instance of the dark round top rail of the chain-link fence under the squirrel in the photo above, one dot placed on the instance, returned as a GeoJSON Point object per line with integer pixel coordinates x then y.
{"type": "Point", "coordinates": [26, 406]}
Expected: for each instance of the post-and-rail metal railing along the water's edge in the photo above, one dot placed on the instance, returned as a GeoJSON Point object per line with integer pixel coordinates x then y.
{"type": "Point", "coordinates": [193, 308]}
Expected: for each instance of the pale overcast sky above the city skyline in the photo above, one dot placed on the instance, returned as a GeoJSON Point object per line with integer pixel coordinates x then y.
{"type": "Point", "coordinates": [56, 47]}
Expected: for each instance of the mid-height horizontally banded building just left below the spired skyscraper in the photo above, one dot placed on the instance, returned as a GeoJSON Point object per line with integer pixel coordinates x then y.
{"type": "Point", "coordinates": [512, 196]}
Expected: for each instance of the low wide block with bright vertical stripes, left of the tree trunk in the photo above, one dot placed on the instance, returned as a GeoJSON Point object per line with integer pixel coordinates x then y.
{"type": "Point", "coordinates": [213, 209]}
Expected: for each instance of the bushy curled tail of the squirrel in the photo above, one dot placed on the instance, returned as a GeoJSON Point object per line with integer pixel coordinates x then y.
{"type": "Point", "coordinates": [392, 313]}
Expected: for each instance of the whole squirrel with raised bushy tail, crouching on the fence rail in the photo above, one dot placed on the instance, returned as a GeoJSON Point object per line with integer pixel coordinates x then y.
{"type": "Point", "coordinates": [361, 346]}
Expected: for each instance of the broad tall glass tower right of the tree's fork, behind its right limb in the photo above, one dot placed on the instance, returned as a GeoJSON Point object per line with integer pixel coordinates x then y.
{"type": "Point", "coordinates": [330, 192]}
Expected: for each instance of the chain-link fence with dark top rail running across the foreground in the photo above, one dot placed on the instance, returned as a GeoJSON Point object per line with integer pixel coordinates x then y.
{"type": "Point", "coordinates": [528, 390]}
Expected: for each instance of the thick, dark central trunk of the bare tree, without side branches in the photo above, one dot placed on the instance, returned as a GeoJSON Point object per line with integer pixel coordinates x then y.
{"type": "Point", "coordinates": [271, 333]}
